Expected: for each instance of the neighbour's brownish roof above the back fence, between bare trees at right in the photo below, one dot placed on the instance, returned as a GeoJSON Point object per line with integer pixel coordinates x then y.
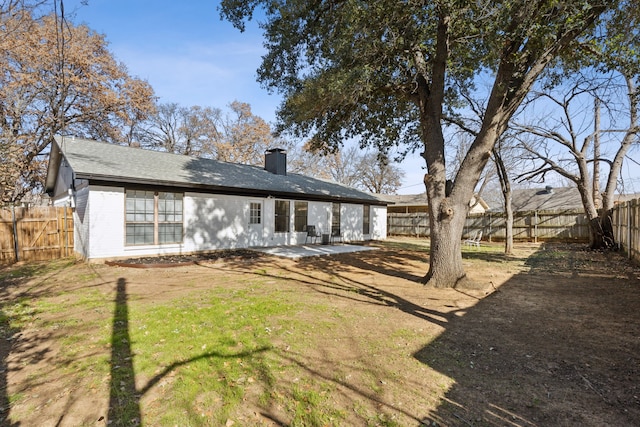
{"type": "Point", "coordinates": [533, 199]}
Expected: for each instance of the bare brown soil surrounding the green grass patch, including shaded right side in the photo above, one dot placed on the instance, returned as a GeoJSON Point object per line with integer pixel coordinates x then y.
{"type": "Point", "coordinates": [548, 337]}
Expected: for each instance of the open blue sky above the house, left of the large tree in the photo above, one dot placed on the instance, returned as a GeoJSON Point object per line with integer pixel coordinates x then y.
{"type": "Point", "coordinates": [182, 49]}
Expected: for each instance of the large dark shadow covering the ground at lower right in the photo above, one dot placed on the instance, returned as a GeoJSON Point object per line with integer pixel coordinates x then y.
{"type": "Point", "coordinates": [551, 347]}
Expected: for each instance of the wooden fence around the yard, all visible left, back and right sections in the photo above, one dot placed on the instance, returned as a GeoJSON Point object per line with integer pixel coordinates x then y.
{"type": "Point", "coordinates": [43, 233]}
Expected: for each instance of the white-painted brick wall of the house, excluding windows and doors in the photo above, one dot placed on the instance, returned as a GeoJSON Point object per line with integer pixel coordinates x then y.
{"type": "Point", "coordinates": [210, 222]}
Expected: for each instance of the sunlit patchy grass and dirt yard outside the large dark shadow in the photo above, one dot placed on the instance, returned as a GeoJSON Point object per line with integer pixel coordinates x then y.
{"type": "Point", "coordinates": [268, 341]}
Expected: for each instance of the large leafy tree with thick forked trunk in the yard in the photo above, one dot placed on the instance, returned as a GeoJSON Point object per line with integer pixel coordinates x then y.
{"type": "Point", "coordinates": [392, 73]}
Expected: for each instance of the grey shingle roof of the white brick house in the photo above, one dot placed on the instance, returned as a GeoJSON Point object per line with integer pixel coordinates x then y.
{"type": "Point", "coordinates": [110, 163]}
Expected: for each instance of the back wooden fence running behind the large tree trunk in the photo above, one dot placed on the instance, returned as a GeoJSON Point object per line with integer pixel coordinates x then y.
{"type": "Point", "coordinates": [565, 225]}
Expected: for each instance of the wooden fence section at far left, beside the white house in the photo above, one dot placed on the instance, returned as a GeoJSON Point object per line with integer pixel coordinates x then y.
{"type": "Point", "coordinates": [35, 234]}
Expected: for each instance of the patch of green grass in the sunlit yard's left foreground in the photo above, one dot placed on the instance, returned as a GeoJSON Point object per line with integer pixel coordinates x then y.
{"type": "Point", "coordinates": [202, 356]}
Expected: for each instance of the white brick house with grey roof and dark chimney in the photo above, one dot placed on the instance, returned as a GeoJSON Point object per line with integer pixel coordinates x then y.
{"type": "Point", "coordinates": [133, 202]}
